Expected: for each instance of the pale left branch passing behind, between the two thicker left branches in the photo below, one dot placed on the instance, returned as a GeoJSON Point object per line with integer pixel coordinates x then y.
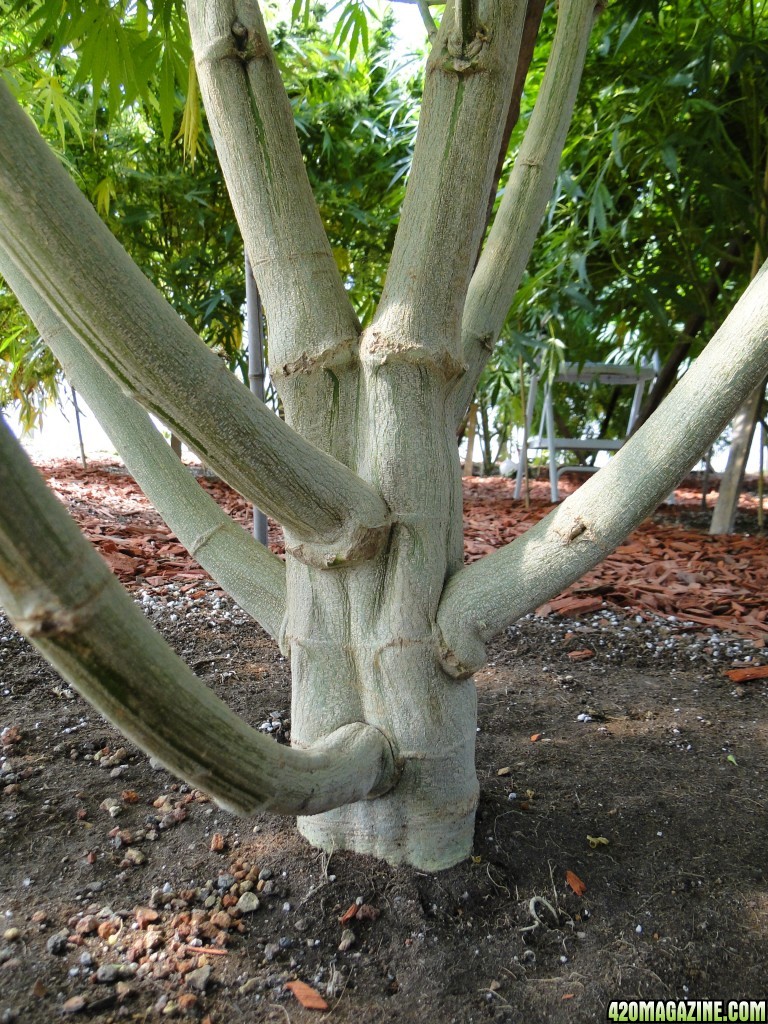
{"type": "Point", "coordinates": [246, 570]}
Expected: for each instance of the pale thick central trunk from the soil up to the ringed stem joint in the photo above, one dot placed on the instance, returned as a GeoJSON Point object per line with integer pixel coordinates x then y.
{"type": "Point", "coordinates": [363, 639]}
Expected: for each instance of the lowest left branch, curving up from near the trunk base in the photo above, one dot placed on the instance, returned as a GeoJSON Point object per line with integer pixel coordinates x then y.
{"type": "Point", "coordinates": [63, 598]}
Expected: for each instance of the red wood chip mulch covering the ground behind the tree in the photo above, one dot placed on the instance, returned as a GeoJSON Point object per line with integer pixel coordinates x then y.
{"type": "Point", "coordinates": [718, 582]}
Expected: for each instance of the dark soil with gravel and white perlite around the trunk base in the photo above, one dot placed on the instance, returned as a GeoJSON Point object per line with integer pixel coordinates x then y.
{"type": "Point", "coordinates": [620, 850]}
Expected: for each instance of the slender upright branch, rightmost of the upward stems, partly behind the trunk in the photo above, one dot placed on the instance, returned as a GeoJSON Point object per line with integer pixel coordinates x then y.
{"type": "Point", "coordinates": [510, 241]}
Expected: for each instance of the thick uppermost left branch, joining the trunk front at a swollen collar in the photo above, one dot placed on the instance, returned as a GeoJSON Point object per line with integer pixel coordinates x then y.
{"type": "Point", "coordinates": [54, 235]}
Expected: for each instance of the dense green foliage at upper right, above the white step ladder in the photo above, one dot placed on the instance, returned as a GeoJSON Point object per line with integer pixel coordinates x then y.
{"type": "Point", "coordinates": [665, 167]}
